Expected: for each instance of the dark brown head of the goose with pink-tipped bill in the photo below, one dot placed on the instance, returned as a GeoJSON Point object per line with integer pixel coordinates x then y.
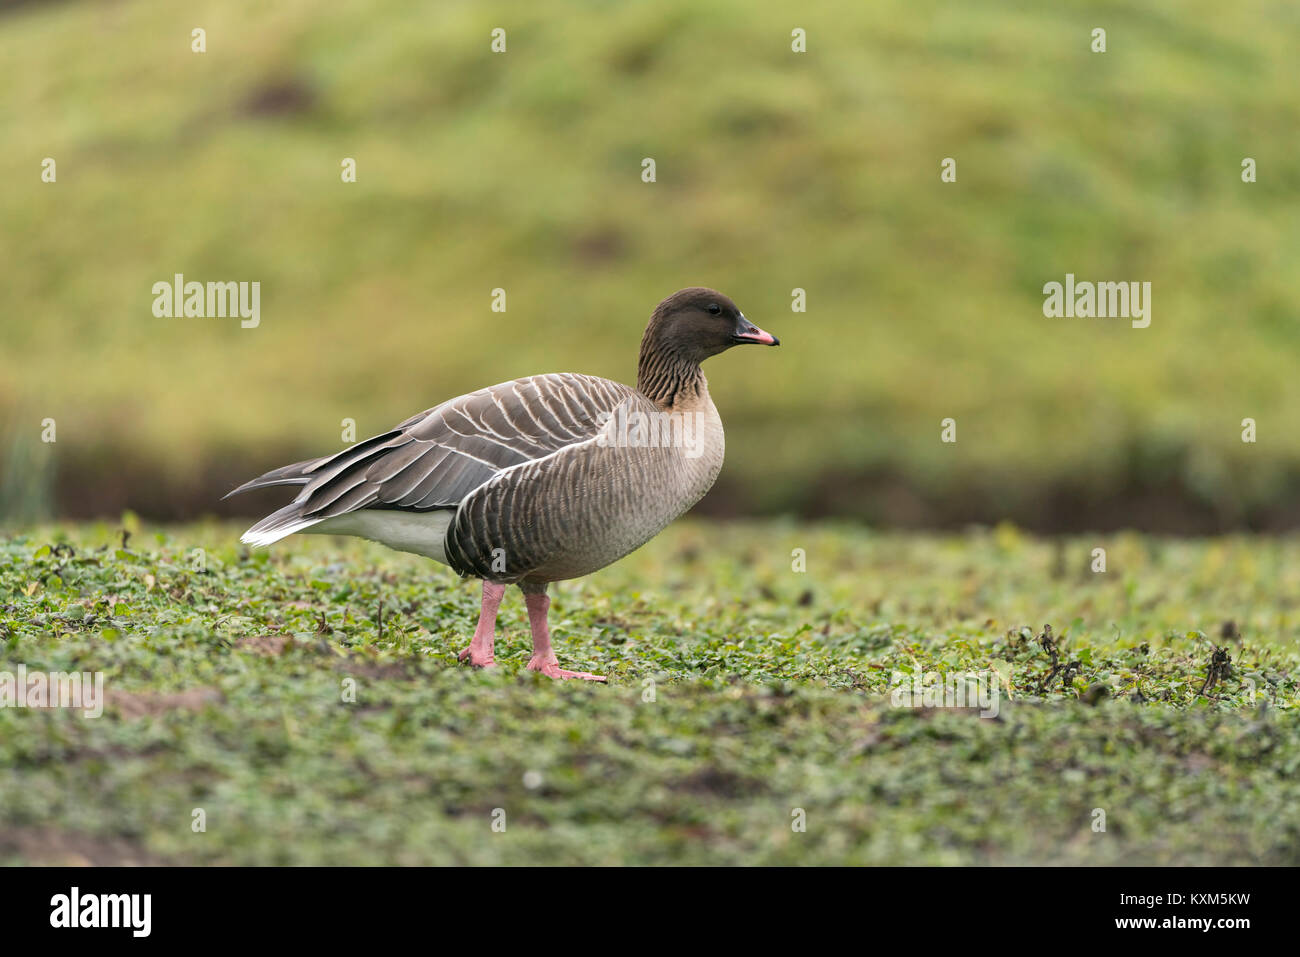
{"type": "Point", "coordinates": [697, 323]}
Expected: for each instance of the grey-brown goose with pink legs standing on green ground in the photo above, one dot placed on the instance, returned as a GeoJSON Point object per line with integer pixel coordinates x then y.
{"type": "Point", "coordinates": [536, 480]}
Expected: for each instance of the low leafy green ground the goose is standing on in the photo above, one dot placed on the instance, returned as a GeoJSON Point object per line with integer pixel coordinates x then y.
{"type": "Point", "coordinates": [740, 691]}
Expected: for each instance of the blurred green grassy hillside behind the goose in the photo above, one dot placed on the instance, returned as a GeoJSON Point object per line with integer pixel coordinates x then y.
{"type": "Point", "coordinates": [775, 171]}
